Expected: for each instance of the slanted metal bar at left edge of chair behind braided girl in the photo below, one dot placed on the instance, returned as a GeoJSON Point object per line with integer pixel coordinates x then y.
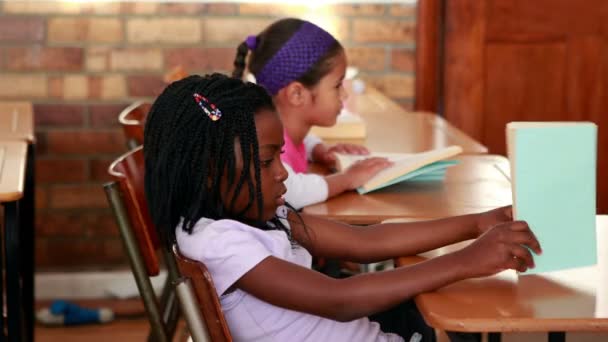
{"type": "Point", "coordinates": [144, 285]}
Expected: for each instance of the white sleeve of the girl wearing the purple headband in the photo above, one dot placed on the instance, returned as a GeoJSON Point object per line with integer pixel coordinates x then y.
{"type": "Point", "coordinates": [304, 188]}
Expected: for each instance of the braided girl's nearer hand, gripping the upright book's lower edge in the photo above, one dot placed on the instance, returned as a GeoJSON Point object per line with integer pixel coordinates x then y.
{"type": "Point", "coordinates": [505, 246]}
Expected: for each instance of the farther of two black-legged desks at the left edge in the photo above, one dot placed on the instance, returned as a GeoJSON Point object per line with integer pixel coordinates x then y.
{"type": "Point", "coordinates": [17, 124]}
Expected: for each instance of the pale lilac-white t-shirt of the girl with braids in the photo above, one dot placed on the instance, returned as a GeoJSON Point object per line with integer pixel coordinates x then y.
{"type": "Point", "coordinates": [230, 249]}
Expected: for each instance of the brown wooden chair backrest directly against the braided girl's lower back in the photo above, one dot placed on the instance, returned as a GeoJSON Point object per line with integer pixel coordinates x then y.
{"type": "Point", "coordinates": [206, 295]}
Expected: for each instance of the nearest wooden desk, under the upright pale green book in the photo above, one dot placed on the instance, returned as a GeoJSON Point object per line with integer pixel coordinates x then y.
{"type": "Point", "coordinates": [572, 300]}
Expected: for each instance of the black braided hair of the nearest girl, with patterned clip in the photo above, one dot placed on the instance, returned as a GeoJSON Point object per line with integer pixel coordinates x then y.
{"type": "Point", "coordinates": [187, 153]}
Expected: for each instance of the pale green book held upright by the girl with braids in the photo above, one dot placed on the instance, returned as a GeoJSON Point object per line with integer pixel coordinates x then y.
{"type": "Point", "coordinates": [553, 176]}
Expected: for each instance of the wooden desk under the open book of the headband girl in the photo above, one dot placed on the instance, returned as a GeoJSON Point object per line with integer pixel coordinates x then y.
{"type": "Point", "coordinates": [477, 184]}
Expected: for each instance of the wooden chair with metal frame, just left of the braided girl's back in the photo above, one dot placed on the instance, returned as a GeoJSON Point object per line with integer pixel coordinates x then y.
{"type": "Point", "coordinates": [126, 197]}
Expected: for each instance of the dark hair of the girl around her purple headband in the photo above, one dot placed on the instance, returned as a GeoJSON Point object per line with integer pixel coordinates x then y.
{"type": "Point", "coordinates": [270, 41]}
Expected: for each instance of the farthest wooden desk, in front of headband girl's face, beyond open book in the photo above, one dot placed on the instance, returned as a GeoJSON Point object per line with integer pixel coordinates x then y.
{"type": "Point", "coordinates": [390, 128]}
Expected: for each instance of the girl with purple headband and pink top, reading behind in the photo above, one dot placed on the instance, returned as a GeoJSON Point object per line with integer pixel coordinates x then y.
{"type": "Point", "coordinates": [302, 67]}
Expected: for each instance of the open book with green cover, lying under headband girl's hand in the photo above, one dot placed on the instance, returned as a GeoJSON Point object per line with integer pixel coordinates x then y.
{"type": "Point", "coordinates": [423, 166]}
